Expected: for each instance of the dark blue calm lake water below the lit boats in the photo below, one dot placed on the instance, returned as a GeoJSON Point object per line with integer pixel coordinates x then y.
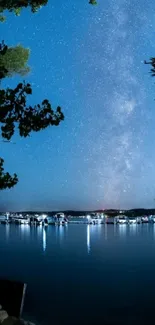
{"type": "Point", "coordinates": [80, 274]}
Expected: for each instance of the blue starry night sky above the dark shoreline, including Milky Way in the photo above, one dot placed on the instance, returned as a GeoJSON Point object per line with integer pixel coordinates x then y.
{"type": "Point", "coordinates": [89, 60]}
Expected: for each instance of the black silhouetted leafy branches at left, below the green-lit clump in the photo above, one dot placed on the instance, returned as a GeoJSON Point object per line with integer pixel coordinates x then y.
{"type": "Point", "coordinates": [16, 115]}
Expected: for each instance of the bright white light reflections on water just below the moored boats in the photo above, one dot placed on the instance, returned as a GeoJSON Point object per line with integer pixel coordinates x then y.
{"type": "Point", "coordinates": [93, 232]}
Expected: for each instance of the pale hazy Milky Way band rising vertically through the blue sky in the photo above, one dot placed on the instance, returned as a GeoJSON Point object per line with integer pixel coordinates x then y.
{"type": "Point", "coordinates": [124, 99]}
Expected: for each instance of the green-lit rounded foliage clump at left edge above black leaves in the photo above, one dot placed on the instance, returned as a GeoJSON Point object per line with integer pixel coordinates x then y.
{"type": "Point", "coordinates": [14, 60]}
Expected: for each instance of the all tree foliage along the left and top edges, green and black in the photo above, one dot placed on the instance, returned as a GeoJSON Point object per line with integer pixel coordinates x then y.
{"type": "Point", "coordinates": [14, 113]}
